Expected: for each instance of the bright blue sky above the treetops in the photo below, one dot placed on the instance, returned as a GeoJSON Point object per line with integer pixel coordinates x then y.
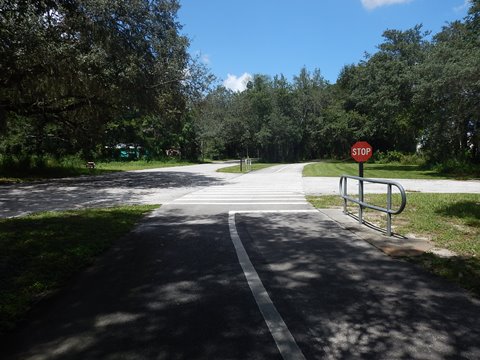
{"type": "Point", "coordinates": [238, 38]}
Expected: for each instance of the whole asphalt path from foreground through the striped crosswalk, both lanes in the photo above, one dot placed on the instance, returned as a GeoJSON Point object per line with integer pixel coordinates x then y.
{"type": "Point", "coordinates": [244, 268]}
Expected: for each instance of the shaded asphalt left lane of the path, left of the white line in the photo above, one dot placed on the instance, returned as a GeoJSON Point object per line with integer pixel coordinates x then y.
{"type": "Point", "coordinates": [173, 289]}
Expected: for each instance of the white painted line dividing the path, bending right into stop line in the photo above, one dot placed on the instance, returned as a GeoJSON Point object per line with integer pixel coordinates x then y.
{"type": "Point", "coordinates": [285, 341]}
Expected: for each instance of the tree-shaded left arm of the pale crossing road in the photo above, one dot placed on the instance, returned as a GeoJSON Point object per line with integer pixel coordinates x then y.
{"type": "Point", "coordinates": [108, 190]}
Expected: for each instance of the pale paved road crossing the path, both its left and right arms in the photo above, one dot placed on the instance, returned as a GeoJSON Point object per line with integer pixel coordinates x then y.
{"type": "Point", "coordinates": [167, 184]}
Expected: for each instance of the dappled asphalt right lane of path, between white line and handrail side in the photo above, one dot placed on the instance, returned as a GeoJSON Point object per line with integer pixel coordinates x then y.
{"type": "Point", "coordinates": [341, 298]}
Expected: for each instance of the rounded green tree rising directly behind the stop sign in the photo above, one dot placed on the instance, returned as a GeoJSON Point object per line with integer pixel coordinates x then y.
{"type": "Point", "coordinates": [382, 87]}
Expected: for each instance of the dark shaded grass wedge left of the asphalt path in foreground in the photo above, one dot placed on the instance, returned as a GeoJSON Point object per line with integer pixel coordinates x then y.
{"type": "Point", "coordinates": [40, 253]}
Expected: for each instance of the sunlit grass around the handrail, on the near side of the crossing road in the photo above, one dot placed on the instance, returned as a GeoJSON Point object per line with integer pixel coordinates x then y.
{"type": "Point", "coordinates": [450, 221]}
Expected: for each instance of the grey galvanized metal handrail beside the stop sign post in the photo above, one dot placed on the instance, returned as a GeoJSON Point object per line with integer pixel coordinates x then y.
{"type": "Point", "coordinates": [388, 210]}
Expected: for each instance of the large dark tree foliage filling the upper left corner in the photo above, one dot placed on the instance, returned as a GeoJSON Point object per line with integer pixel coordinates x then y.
{"type": "Point", "coordinates": [80, 75]}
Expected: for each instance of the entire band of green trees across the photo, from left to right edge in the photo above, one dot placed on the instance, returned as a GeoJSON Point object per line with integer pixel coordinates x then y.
{"type": "Point", "coordinates": [79, 77]}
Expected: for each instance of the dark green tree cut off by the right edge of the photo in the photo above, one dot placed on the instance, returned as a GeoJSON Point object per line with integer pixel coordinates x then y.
{"type": "Point", "coordinates": [449, 91]}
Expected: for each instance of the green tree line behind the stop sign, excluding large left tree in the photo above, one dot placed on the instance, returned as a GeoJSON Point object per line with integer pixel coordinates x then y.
{"type": "Point", "coordinates": [416, 93]}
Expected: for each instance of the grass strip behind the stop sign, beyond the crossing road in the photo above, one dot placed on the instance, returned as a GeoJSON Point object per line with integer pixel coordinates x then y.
{"type": "Point", "coordinates": [389, 171]}
